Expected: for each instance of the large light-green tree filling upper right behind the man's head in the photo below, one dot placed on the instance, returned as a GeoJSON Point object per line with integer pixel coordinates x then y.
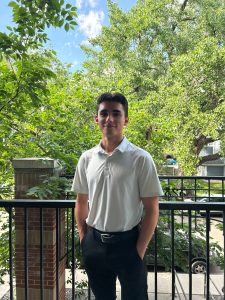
{"type": "Point", "coordinates": [168, 58]}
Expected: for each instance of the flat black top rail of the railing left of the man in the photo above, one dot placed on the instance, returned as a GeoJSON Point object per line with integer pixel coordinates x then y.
{"type": "Point", "coordinates": [33, 203]}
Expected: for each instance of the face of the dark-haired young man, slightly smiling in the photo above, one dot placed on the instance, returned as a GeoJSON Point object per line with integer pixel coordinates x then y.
{"type": "Point", "coordinates": [111, 119]}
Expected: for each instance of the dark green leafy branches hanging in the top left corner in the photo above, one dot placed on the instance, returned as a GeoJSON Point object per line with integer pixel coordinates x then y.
{"type": "Point", "coordinates": [31, 19]}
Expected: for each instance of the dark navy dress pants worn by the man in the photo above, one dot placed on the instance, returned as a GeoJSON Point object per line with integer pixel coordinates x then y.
{"type": "Point", "coordinates": [105, 262]}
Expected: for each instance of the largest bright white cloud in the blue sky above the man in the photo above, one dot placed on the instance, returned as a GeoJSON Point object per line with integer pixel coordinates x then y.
{"type": "Point", "coordinates": [90, 24]}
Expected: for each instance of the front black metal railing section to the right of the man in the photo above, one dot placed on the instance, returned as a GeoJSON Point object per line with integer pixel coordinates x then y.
{"type": "Point", "coordinates": [175, 211]}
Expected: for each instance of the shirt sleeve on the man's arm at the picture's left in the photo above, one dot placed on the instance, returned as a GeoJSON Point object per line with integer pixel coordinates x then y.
{"type": "Point", "coordinates": [80, 179]}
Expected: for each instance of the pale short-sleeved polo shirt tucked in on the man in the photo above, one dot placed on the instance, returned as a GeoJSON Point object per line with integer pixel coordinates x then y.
{"type": "Point", "coordinates": [114, 184]}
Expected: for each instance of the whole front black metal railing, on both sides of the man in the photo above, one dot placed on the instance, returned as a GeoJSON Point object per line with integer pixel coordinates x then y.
{"type": "Point", "coordinates": [172, 207]}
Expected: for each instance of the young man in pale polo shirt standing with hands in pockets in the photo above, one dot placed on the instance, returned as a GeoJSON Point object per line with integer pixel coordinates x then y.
{"type": "Point", "coordinates": [119, 180]}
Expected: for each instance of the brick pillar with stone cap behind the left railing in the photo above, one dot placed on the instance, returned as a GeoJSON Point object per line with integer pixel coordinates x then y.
{"type": "Point", "coordinates": [28, 173]}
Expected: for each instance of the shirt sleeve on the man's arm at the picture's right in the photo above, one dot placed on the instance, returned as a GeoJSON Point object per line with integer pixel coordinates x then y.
{"type": "Point", "coordinates": [148, 181]}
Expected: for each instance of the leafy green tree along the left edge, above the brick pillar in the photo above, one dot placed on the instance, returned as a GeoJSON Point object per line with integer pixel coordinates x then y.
{"type": "Point", "coordinates": [26, 68]}
